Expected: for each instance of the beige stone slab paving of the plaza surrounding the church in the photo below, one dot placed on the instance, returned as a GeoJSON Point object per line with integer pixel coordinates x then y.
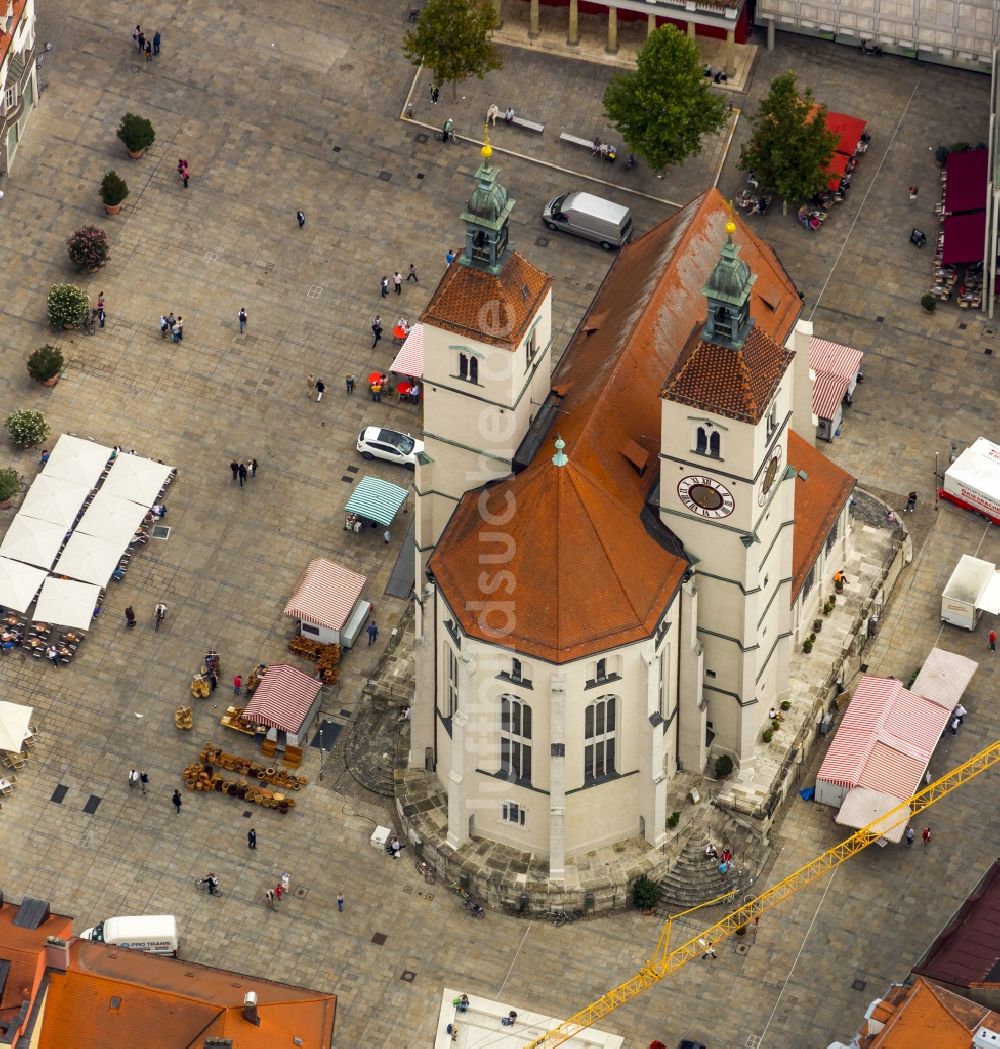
{"type": "Point", "coordinates": [304, 113]}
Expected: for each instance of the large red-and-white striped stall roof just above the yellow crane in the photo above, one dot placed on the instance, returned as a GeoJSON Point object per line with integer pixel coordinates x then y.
{"type": "Point", "coordinates": [886, 740]}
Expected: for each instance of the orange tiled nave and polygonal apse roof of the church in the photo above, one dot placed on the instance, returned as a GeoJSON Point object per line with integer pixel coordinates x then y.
{"type": "Point", "coordinates": [609, 380]}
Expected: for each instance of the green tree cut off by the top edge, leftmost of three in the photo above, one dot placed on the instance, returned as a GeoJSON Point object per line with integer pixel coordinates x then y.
{"type": "Point", "coordinates": [452, 39]}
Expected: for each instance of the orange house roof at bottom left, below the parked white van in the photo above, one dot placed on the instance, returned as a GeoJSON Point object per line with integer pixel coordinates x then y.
{"type": "Point", "coordinates": [167, 1003]}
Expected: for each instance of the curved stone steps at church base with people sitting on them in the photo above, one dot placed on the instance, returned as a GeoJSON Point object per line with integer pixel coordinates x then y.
{"type": "Point", "coordinates": [694, 879]}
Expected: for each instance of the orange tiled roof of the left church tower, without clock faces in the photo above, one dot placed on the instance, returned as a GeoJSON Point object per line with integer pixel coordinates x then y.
{"type": "Point", "coordinates": [495, 310]}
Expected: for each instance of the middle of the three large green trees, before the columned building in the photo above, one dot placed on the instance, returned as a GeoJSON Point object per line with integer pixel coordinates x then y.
{"type": "Point", "coordinates": [665, 106]}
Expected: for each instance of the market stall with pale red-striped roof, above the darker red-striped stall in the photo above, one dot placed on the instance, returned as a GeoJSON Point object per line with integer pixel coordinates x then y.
{"type": "Point", "coordinates": [327, 602]}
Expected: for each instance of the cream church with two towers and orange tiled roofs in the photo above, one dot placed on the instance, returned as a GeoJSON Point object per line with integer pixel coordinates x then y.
{"type": "Point", "coordinates": [616, 556]}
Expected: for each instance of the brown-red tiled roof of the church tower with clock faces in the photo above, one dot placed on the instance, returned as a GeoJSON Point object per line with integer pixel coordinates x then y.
{"type": "Point", "coordinates": [738, 383]}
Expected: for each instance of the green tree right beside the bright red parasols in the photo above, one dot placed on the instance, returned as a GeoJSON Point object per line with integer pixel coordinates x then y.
{"type": "Point", "coordinates": [791, 146]}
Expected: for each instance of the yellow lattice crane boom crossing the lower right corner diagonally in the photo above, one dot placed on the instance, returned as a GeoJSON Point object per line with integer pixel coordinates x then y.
{"type": "Point", "coordinates": [665, 962]}
